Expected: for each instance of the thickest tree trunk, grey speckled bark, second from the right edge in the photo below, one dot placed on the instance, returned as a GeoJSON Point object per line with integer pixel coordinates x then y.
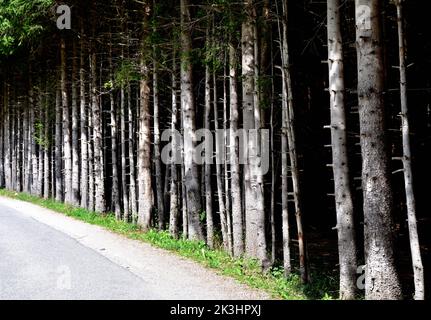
{"type": "Point", "coordinates": [381, 280]}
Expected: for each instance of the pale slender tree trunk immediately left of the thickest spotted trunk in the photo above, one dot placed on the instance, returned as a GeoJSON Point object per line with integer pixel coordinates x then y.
{"type": "Point", "coordinates": [343, 196]}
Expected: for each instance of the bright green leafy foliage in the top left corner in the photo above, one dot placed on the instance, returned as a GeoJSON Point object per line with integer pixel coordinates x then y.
{"type": "Point", "coordinates": [20, 22]}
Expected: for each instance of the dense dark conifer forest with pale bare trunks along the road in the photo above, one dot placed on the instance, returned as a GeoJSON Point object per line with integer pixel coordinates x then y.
{"type": "Point", "coordinates": [294, 132]}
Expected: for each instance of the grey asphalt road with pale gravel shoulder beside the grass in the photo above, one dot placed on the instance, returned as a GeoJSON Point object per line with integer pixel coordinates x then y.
{"type": "Point", "coordinates": [45, 255]}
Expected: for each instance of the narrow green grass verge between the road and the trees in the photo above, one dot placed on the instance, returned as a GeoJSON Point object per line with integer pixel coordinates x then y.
{"type": "Point", "coordinates": [244, 270]}
